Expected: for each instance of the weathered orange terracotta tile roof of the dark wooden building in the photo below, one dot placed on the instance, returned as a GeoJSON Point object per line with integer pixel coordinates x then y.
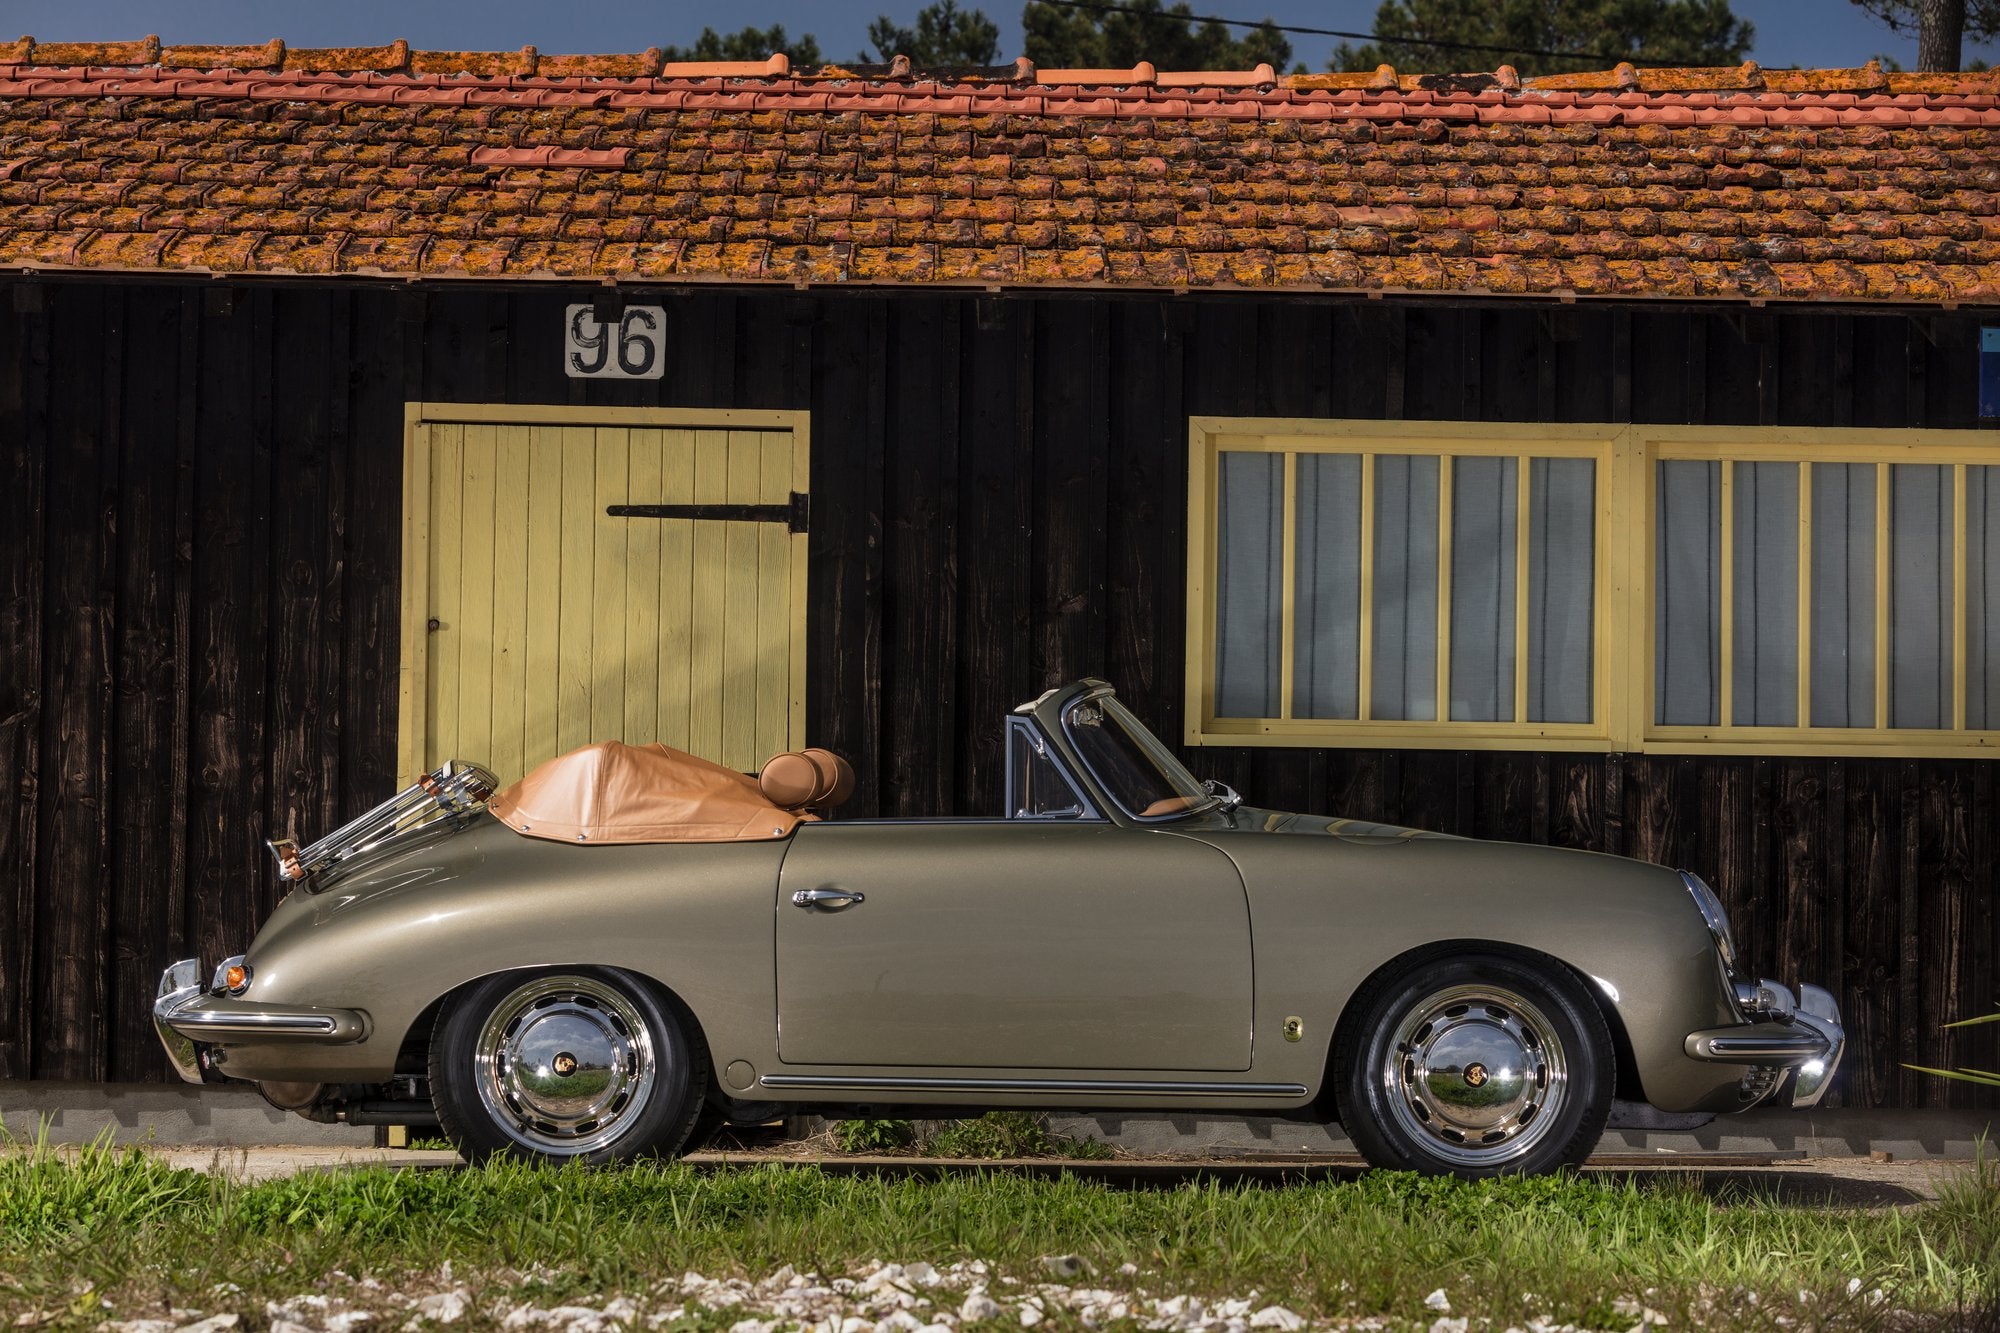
{"type": "Point", "coordinates": [1741, 183]}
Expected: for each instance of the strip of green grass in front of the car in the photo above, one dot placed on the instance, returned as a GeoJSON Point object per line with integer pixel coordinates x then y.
{"type": "Point", "coordinates": [119, 1226]}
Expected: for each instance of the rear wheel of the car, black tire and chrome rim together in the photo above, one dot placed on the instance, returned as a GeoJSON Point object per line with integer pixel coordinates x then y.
{"type": "Point", "coordinates": [567, 1064]}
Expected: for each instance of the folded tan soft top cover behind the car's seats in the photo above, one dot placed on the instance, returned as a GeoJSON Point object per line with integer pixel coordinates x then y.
{"type": "Point", "coordinates": [639, 794]}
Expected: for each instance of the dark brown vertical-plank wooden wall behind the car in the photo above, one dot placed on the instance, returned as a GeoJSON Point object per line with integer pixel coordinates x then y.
{"type": "Point", "coordinates": [199, 593]}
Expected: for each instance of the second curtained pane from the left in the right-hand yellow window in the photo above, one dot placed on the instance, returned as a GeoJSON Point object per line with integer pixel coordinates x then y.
{"type": "Point", "coordinates": [1765, 599]}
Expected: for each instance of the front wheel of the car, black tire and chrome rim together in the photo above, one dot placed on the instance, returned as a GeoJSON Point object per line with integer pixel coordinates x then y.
{"type": "Point", "coordinates": [1475, 1066]}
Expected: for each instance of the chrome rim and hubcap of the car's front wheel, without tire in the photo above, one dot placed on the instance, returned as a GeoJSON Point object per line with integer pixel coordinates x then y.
{"type": "Point", "coordinates": [1477, 1076]}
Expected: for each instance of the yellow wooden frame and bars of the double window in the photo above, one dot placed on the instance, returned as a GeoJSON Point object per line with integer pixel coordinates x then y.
{"type": "Point", "coordinates": [1623, 585]}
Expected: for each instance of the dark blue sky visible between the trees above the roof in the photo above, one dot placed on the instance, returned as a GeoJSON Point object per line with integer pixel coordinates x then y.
{"type": "Point", "coordinates": [1813, 33]}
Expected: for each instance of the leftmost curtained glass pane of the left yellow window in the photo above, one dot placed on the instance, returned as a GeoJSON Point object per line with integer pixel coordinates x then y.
{"type": "Point", "coordinates": [1251, 571]}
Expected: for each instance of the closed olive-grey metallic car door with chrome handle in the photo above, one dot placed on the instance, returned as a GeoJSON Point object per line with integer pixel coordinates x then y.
{"type": "Point", "coordinates": [1013, 946]}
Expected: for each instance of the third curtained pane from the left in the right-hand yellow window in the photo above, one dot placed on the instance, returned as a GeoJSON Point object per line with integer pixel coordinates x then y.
{"type": "Point", "coordinates": [1843, 595]}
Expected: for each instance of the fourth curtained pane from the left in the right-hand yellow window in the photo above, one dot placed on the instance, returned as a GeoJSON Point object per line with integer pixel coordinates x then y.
{"type": "Point", "coordinates": [1921, 595]}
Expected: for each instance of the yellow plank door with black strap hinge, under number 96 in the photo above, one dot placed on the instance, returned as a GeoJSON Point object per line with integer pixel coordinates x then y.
{"type": "Point", "coordinates": [537, 621]}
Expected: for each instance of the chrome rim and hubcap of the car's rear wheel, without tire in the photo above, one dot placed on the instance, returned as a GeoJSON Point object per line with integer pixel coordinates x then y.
{"type": "Point", "coordinates": [565, 1066]}
